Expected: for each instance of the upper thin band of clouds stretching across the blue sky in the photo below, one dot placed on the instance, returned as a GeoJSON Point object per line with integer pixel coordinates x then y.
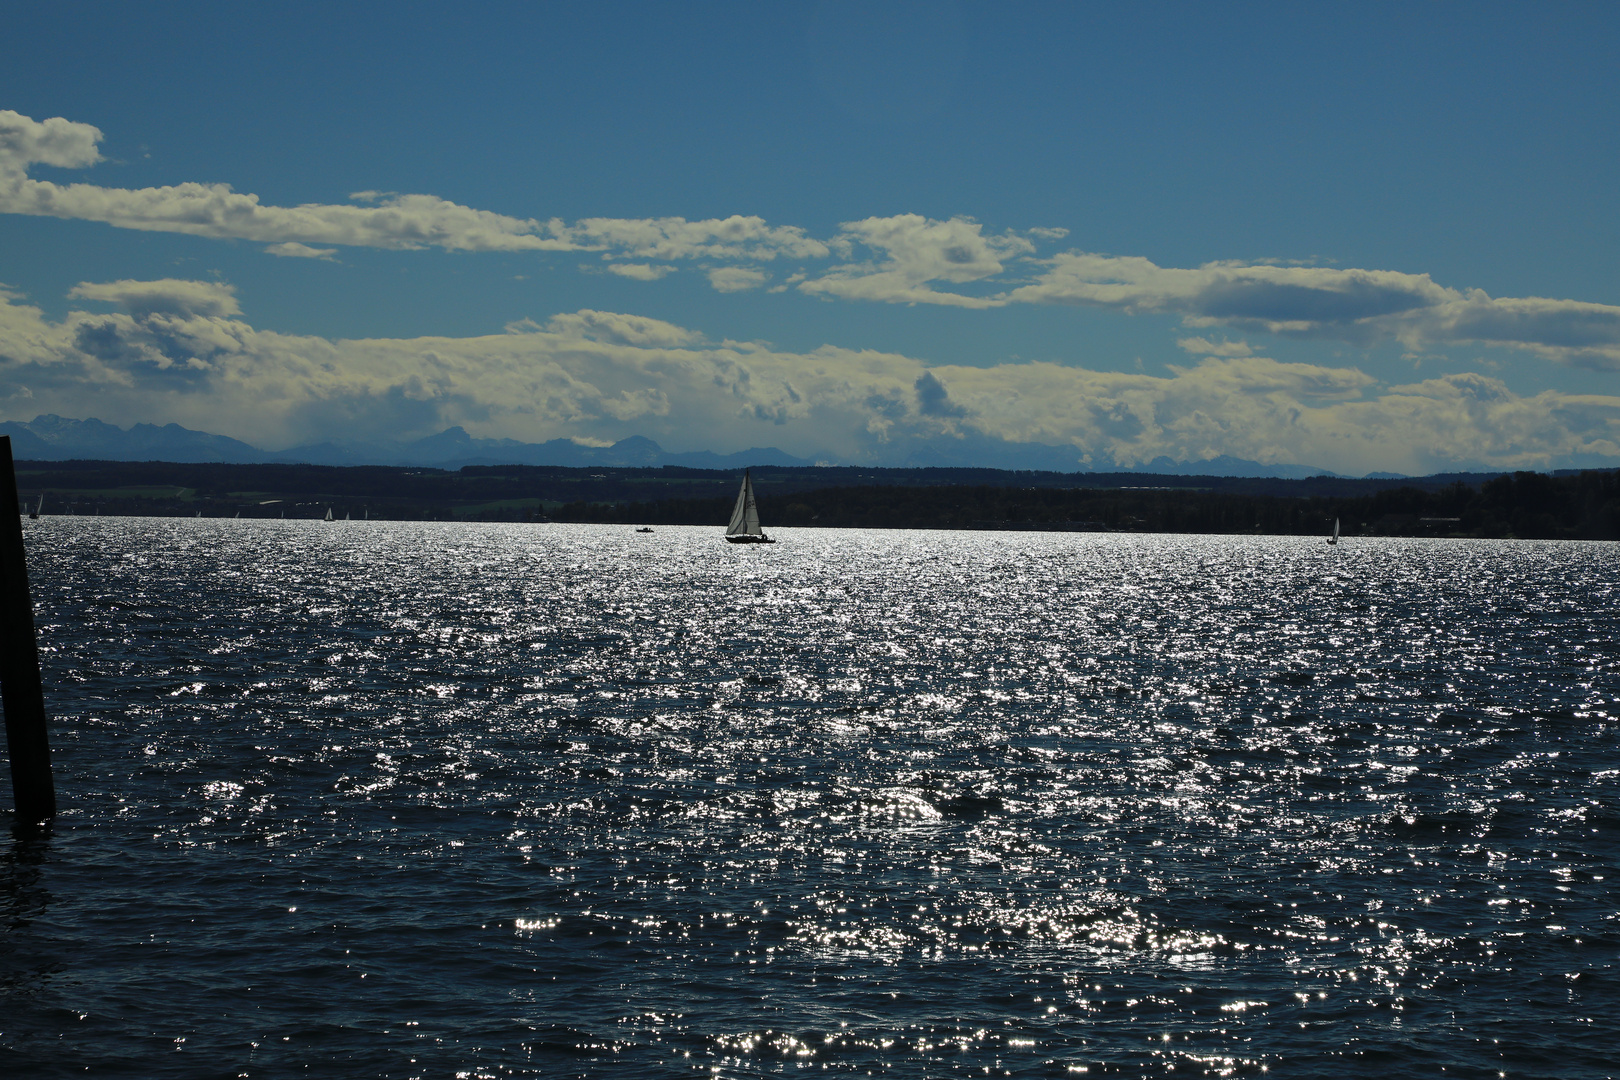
{"type": "Point", "coordinates": [903, 258]}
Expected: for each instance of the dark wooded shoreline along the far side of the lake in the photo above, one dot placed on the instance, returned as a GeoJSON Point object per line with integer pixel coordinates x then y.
{"type": "Point", "coordinates": [1571, 506]}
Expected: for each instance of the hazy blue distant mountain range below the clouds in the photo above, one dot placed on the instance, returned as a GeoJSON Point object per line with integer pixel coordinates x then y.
{"type": "Point", "coordinates": [58, 440]}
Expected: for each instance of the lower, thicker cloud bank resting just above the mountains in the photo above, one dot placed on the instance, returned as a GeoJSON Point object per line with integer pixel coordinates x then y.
{"type": "Point", "coordinates": [181, 352]}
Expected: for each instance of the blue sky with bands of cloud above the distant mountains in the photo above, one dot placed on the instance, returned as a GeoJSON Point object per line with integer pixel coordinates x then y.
{"type": "Point", "coordinates": [1357, 237]}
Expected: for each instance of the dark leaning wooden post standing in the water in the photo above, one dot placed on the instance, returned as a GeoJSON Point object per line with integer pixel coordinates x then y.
{"type": "Point", "coordinates": [22, 692]}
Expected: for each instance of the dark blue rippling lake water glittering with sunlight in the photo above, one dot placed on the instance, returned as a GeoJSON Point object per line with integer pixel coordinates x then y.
{"type": "Point", "coordinates": [480, 801]}
